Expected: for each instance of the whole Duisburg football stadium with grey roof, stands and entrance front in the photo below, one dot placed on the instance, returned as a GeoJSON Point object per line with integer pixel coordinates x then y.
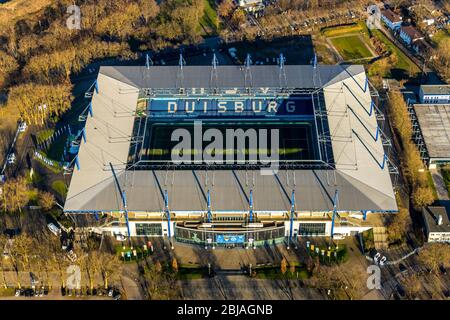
{"type": "Point", "coordinates": [323, 172]}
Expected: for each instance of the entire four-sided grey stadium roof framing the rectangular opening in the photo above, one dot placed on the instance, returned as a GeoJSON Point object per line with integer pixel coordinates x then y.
{"type": "Point", "coordinates": [363, 183]}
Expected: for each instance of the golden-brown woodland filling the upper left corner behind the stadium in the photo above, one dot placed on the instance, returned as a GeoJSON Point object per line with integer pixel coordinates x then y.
{"type": "Point", "coordinates": [38, 50]}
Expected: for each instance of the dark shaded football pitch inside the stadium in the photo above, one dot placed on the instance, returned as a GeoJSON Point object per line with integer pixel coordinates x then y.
{"type": "Point", "coordinates": [296, 140]}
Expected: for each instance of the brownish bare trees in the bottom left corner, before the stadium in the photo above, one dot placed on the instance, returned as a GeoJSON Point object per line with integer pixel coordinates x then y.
{"type": "Point", "coordinates": [42, 255]}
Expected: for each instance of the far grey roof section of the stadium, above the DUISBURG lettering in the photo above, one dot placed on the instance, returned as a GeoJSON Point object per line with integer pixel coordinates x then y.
{"type": "Point", "coordinates": [297, 76]}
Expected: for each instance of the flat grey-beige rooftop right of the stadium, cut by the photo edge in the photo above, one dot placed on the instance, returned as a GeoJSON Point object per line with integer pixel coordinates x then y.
{"type": "Point", "coordinates": [434, 122]}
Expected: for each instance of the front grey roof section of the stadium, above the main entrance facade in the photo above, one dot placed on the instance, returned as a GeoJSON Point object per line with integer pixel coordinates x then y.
{"type": "Point", "coordinates": [187, 189]}
